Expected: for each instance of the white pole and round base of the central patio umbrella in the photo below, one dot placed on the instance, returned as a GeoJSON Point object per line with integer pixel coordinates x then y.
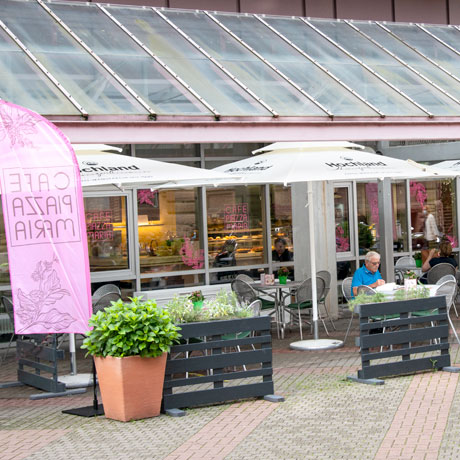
{"type": "Point", "coordinates": [316, 343]}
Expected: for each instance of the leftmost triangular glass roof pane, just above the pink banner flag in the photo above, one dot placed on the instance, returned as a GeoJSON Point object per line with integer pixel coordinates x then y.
{"type": "Point", "coordinates": [24, 84]}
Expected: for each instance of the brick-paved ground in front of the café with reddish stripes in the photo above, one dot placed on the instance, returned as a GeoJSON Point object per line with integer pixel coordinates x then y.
{"type": "Point", "coordinates": [324, 416]}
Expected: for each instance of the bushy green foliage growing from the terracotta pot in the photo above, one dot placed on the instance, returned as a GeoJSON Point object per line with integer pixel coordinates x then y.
{"type": "Point", "coordinates": [135, 328]}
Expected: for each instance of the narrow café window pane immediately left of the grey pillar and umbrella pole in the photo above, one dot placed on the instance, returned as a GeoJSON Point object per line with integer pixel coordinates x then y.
{"type": "Point", "coordinates": [281, 224]}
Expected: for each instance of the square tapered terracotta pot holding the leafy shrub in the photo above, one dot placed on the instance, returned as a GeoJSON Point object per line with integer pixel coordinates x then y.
{"type": "Point", "coordinates": [131, 387]}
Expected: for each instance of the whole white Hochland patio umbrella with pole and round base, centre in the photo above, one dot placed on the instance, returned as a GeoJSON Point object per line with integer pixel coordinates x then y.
{"type": "Point", "coordinates": [289, 162]}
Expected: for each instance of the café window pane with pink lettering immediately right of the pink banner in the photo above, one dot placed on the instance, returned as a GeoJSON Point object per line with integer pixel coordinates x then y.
{"type": "Point", "coordinates": [107, 233]}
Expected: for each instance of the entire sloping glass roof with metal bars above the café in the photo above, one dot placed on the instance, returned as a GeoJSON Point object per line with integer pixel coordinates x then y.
{"type": "Point", "coordinates": [99, 60]}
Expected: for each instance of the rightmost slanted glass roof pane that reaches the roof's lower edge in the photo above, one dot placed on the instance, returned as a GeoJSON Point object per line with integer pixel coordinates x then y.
{"type": "Point", "coordinates": [389, 68]}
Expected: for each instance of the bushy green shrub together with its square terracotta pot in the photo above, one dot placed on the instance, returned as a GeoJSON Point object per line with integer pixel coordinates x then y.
{"type": "Point", "coordinates": [129, 342]}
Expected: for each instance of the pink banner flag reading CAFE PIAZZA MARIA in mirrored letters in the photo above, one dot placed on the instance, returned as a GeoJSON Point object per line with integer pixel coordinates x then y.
{"type": "Point", "coordinates": [44, 224]}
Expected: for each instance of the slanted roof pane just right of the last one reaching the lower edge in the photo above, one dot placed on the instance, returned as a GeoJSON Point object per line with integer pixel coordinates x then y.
{"type": "Point", "coordinates": [411, 57]}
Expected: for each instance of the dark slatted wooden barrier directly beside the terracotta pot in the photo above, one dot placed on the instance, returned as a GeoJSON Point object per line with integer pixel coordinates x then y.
{"type": "Point", "coordinates": [210, 359]}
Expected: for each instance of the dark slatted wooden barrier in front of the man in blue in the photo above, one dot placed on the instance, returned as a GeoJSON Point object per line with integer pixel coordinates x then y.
{"type": "Point", "coordinates": [405, 337]}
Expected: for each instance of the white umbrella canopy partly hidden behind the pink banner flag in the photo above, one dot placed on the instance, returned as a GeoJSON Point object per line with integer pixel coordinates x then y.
{"type": "Point", "coordinates": [99, 167]}
